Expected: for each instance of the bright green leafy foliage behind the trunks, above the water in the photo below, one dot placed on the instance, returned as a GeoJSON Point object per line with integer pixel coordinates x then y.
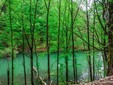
{"type": "Point", "coordinates": [40, 29]}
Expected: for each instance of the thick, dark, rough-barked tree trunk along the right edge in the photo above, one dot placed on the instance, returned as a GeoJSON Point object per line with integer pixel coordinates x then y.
{"type": "Point", "coordinates": [110, 39]}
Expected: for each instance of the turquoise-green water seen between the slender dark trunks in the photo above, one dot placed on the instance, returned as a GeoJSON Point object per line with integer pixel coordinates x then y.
{"type": "Point", "coordinates": [82, 67]}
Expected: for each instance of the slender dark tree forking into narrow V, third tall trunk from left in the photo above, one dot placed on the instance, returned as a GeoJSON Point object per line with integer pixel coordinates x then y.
{"type": "Point", "coordinates": [32, 29]}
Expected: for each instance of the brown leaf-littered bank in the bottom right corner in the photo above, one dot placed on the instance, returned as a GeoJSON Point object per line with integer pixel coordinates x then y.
{"type": "Point", "coordinates": [103, 81]}
